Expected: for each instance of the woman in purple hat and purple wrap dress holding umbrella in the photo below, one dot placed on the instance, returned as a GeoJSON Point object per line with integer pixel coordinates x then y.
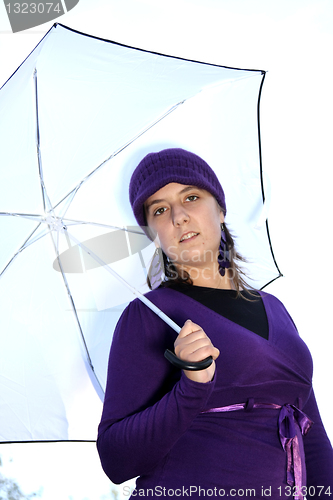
{"type": "Point", "coordinates": [235, 428]}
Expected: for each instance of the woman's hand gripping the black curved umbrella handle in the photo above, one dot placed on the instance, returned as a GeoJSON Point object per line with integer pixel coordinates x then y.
{"type": "Point", "coordinates": [192, 344]}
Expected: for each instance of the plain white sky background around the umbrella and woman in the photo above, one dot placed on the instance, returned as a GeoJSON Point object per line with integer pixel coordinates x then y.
{"type": "Point", "coordinates": [292, 40]}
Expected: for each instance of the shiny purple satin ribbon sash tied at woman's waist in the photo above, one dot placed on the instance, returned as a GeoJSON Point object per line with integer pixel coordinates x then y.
{"type": "Point", "coordinates": [289, 417]}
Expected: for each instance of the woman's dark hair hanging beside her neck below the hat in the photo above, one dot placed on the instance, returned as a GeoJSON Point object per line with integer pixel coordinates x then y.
{"type": "Point", "coordinates": [173, 277]}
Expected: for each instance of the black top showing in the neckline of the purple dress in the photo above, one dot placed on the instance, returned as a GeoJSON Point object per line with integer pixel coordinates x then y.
{"type": "Point", "coordinates": [250, 313]}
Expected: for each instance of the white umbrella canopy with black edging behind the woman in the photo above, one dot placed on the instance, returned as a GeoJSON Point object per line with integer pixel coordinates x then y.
{"type": "Point", "coordinates": [76, 118]}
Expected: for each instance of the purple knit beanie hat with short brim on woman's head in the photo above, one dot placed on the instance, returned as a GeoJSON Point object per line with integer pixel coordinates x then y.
{"type": "Point", "coordinates": [156, 170]}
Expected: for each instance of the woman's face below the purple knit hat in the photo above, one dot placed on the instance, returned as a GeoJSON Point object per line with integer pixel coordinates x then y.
{"type": "Point", "coordinates": [187, 221]}
